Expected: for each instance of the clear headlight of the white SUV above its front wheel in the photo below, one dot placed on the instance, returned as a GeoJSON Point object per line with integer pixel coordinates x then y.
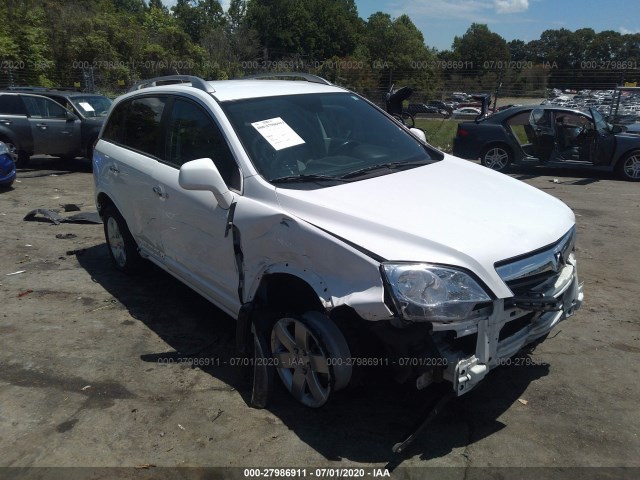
{"type": "Point", "coordinates": [429, 292]}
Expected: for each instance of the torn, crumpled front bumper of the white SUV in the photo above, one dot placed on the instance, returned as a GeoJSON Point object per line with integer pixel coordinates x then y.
{"type": "Point", "coordinates": [498, 339]}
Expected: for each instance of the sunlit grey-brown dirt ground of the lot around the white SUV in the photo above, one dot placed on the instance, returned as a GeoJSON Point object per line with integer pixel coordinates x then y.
{"type": "Point", "coordinates": [98, 369]}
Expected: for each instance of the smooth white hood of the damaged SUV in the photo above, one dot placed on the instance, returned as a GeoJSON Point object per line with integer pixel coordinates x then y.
{"type": "Point", "coordinates": [451, 212]}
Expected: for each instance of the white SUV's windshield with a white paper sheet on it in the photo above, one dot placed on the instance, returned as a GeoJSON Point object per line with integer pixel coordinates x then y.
{"type": "Point", "coordinates": [322, 136]}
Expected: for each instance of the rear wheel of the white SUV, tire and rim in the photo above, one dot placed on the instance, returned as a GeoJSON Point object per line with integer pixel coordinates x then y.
{"type": "Point", "coordinates": [123, 249]}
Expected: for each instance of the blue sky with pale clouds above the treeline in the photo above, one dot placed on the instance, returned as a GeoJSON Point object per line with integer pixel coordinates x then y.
{"type": "Point", "coordinates": [441, 20]}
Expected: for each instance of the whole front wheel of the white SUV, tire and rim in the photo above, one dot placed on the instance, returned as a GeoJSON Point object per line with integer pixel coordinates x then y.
{"type": "Point", "coordinates": [311, 357]}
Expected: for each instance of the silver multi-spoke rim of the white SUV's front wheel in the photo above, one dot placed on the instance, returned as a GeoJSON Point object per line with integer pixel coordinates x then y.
{"type": "Point", "coordinates": [301, 362]}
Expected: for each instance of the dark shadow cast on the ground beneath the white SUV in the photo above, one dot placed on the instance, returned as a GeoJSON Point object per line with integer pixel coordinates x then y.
{"type": "Point", "coordinates": [359, 425]}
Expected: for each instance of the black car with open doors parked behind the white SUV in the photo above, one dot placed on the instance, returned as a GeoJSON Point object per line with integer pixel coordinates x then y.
{"type": "Point", "coordinates": [552, 136]}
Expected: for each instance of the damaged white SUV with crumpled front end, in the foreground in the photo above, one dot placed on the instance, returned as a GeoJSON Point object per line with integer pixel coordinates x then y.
{"type": "Point", "coordinates": [338, 238]}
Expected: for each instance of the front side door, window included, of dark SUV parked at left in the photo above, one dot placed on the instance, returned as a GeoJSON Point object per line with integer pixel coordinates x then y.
{"type": "Point", "coordinates": [53, 131]}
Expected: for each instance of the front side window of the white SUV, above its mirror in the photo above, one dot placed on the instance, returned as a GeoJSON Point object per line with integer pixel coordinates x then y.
{"type": "Point", "coordinates": [192, 134]}
